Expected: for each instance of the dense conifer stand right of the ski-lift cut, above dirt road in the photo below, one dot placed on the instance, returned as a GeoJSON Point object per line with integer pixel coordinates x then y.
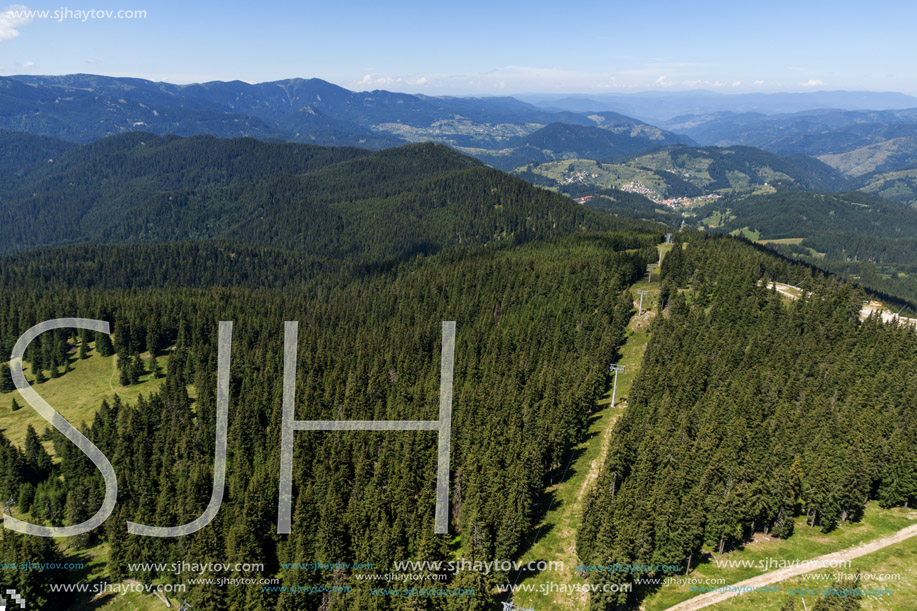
{"type": "Point", "coordinates": [749, 411]}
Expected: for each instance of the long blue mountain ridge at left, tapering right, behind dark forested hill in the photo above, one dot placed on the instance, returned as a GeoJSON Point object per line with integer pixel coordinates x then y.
{"type": "Point", "coordinates": [82, 108]}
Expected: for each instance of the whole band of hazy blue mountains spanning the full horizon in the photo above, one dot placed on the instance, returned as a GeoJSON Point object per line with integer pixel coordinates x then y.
{"type": "Point", "coordinates": [872, 139]}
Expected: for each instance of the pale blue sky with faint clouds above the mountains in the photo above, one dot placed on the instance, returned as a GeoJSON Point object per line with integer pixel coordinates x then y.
{"type": "Point", "coordinates": [483, 48]}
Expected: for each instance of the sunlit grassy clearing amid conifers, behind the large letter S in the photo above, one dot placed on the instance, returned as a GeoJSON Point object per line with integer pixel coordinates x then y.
{"type": "Point", "coordinates": [77, 395]}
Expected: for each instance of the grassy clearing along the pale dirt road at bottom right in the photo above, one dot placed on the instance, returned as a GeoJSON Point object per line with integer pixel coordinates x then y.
{"type": "Point", "coordinates": [806, 543]}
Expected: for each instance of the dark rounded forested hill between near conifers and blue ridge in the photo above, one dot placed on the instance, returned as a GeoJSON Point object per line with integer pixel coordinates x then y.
{"type": "Point", "coordinates": [330, 202]}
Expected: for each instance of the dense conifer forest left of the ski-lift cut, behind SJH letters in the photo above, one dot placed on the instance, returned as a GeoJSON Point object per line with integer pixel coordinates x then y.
{"type": "Point", "coordinates": [537, 326]}
